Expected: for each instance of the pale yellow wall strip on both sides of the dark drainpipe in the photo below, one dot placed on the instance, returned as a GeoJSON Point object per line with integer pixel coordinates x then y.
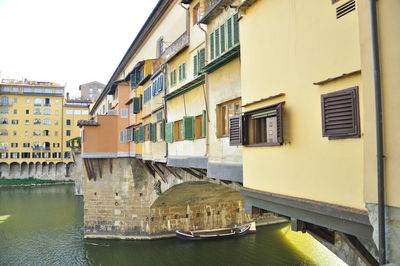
{"type": "Point", "coordinates": [389, 32]}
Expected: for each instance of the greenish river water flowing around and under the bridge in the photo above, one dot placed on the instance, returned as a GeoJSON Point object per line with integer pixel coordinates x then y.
{"type": "Point", "coordinates": [44, 226]}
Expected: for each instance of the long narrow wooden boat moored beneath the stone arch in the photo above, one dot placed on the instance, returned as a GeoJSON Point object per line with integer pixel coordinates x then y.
{"type": "Point", "coordinates": [214, 233]}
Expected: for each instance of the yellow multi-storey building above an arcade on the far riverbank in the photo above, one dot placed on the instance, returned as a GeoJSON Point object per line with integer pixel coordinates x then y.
{"type": "Point", "coordinates": [33, 128]}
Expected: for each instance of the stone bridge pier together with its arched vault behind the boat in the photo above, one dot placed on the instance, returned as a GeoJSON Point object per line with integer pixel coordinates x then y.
{"type": "Point", "coordinates": [125, 199]}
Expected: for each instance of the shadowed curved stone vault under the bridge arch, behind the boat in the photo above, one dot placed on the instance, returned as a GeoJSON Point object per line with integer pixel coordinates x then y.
{"type": "Point", "coordinates": [197, 205]}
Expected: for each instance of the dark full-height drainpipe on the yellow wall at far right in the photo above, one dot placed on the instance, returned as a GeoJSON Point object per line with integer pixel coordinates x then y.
{"type": "Point", "coordinates": [379, 132]}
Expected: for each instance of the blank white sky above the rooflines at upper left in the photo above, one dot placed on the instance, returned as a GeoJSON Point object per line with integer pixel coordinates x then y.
{"type": "Point", "coordinates": [67, 41]}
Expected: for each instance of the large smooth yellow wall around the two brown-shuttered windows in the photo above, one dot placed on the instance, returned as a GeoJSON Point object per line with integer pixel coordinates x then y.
{"type": "Point", "coordinates": [286, 46]}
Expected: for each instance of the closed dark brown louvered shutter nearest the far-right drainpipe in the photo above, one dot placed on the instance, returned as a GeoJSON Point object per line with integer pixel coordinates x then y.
{"type": "Point", "coordinates": [340, 114]}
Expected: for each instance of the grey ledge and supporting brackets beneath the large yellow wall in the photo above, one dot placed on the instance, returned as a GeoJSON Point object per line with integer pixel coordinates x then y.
{"type": "Point", "coordinates": [345, 231]}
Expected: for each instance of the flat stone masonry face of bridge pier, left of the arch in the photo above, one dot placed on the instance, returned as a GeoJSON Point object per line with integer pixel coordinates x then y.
{"type": "Point", "coordinates": [118, 203]}
